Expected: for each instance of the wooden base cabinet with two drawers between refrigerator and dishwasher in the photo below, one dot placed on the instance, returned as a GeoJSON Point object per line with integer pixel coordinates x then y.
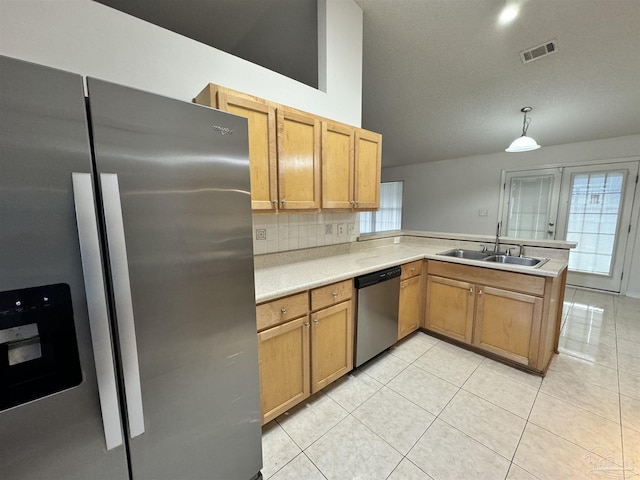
{"type": "Point", "coordinates": [303, 355]}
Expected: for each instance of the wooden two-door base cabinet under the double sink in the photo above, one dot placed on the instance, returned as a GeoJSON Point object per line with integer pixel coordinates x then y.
{"type": "Point", "coordinates": [513, 315]}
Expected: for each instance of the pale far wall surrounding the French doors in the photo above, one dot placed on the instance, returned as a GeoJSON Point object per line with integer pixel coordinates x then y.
{"type": "Point", "coordinates": [446, 196]}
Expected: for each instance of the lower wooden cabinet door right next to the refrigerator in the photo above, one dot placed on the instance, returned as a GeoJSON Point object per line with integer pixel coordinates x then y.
{"type": "Point", "coordinates": [283, 354]}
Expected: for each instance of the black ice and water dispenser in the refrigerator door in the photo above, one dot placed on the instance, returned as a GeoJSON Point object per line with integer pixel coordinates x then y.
{"type": "Point", "coordinates": [38, 348]}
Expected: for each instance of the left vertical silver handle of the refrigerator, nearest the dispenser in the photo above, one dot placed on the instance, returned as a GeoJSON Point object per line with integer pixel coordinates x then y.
{"type": "Point", "coordinates": [97, 307]}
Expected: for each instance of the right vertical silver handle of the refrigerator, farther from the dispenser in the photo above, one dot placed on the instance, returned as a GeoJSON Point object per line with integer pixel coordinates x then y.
{"type": "Point", "coordinates": [124, 305]}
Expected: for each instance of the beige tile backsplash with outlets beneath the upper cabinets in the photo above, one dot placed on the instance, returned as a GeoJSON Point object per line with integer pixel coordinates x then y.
{"type": "Point", "coordinates": [293, 231]}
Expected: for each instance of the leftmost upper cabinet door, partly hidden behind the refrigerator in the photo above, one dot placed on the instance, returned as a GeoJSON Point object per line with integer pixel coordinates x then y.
{"type": "Point", "coordinates": [262, 146]}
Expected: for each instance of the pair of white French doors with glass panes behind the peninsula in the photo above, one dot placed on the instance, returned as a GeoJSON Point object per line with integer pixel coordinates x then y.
{"type": "Point", "coordinates": [589, 205]}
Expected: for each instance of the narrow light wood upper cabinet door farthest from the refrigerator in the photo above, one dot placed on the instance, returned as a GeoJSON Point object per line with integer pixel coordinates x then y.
{"type": "Point", "coordinates": [368, 158]}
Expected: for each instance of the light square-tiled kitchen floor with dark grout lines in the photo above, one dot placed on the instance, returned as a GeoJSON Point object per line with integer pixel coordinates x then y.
{"type": "Point", "coordinates": [429, 410]}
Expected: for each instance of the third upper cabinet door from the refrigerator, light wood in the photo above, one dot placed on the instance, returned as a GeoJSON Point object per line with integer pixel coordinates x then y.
{"type": "Point", "coordinates": [337, 165]}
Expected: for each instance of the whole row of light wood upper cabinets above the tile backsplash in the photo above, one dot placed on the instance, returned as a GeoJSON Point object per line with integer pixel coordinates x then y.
{"type": "Point", "coordinates": [300, 161]}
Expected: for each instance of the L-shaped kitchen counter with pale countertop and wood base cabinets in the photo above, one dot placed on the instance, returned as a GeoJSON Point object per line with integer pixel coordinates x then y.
{"type": "Point", "coordinates": [509, 312]}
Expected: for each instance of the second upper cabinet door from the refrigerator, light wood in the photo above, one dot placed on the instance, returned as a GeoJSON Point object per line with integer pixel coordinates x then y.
{"type": "Point", "coordinates": [298, 160]}
